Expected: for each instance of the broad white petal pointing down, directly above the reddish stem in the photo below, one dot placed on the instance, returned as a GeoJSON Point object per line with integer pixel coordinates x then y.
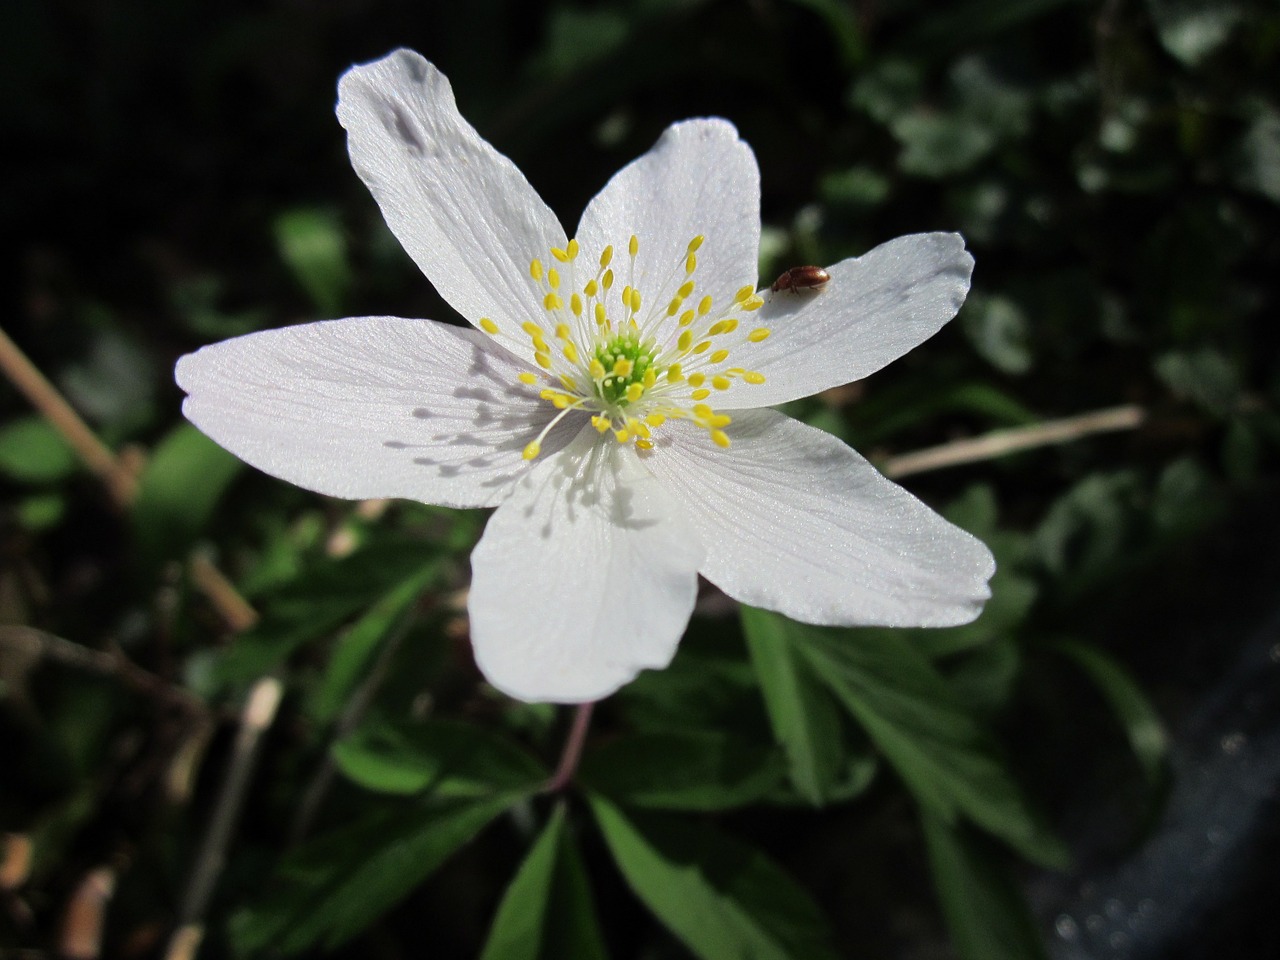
{"type": "Point", "coordinates": [583, 579]}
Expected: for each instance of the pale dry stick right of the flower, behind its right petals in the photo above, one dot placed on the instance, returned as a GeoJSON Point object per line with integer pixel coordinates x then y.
{"type": "Point", "coordinates": [1021, 438]}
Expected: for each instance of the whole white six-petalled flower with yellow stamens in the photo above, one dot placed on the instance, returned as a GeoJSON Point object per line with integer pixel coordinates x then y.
{"type": "Point", "coordinates": [610, 403]}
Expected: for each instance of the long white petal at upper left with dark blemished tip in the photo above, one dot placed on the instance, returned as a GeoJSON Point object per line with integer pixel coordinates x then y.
{"type": "Point", "coordinates": [463, 211]}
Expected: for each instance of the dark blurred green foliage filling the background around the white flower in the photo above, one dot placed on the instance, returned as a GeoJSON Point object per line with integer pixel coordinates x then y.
{"type": "Point", "coordinates": [781, 792]}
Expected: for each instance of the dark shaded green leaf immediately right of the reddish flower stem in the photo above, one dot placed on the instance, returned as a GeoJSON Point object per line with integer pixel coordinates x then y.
{"type": "Point", "coordinates": [687, 771]}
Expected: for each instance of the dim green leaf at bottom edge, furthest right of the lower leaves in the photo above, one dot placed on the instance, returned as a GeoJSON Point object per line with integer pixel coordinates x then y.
{"type": "Point", "coordinates": [988, 916]}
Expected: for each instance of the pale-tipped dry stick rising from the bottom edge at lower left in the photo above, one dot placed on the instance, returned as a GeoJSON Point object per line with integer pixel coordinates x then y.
{"type": "Point", "coordinates": [259, 714]}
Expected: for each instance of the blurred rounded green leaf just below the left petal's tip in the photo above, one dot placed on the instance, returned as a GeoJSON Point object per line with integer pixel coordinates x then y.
{"type": "Point", "coordinates": [179, 491]}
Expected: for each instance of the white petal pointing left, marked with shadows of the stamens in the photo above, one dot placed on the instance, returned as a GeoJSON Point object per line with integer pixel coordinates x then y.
{"type": "Point", "coordinates": [373, 406]}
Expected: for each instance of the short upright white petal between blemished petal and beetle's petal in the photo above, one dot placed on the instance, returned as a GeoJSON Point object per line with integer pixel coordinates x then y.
{"type": "Point", "coordinates": [700, 179]}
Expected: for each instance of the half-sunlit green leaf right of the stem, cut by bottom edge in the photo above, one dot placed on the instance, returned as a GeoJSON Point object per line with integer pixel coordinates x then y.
{"type": "Point", "coordinates": [724, 899]}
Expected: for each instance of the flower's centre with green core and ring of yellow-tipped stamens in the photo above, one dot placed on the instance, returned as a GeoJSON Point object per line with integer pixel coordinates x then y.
{"type": "Point", "coordinates": [630, 363]}
